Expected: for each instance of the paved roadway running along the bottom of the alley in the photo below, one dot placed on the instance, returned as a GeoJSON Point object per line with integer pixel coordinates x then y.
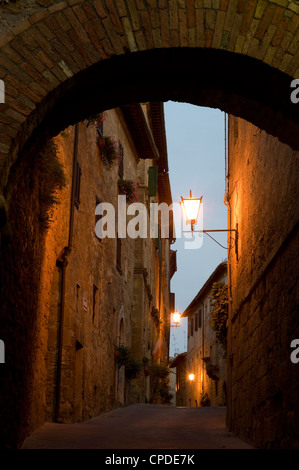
{"type": "Point", "coordinates": [141, 426]}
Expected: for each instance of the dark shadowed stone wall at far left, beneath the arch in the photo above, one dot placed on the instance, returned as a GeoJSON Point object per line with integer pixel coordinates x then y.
{"type": "Point", "coordinates": [23, 324]}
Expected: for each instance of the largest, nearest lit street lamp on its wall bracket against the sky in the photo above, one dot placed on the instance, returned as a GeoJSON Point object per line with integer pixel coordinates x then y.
{"type": "Point", "coordinates": [191, 207]}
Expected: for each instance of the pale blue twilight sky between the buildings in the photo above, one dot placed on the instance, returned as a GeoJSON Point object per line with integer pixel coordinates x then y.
{"type": "Point", "coordinates": [195, 141]}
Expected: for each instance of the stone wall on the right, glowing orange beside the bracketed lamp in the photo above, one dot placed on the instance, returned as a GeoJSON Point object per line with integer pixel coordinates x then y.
{"type": "Point", "coordinates": [263, 201]}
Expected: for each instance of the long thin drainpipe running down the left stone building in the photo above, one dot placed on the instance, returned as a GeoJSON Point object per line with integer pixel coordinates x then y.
{"type": "Point", "coordinates": [62, 263]}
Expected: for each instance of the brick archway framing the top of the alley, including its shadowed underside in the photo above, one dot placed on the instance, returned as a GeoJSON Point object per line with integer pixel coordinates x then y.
{"type": "Point", "coordinates": [238, 56]}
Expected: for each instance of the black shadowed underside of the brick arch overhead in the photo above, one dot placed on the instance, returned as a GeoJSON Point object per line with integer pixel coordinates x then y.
{"type": "Point", "coordinates": [236, 84]}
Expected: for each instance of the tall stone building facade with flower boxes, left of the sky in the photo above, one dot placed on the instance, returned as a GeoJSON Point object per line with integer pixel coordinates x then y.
{"type": "Point", "coordinates": [106, 293]}
